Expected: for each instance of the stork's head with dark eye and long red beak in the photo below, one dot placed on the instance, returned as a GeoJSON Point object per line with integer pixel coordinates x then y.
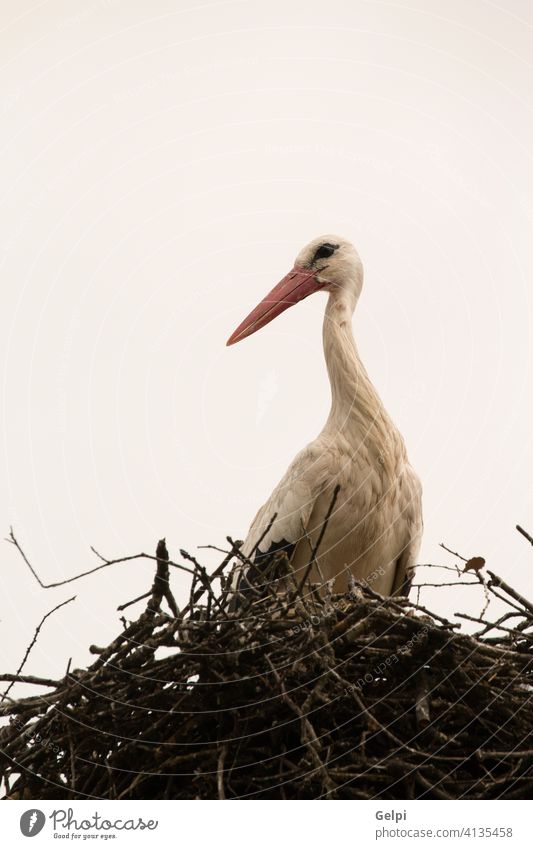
{"type": "Point", "coordinates": [328, 263]}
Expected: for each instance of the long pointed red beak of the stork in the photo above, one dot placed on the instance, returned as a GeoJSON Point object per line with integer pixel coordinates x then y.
{"type": "Point", "coordinates": [297, 285]}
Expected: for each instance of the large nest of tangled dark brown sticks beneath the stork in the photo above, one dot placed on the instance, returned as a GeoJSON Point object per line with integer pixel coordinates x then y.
{"type": "Point", "coordinates": [295, 695]}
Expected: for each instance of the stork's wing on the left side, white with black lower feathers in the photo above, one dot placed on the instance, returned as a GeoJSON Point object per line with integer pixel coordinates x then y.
{"type": "Point", "coordinates": [282, 521]}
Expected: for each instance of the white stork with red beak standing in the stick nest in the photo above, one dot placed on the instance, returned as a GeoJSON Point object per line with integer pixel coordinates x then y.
{"type": "Point", "coordinates": [374, 530]}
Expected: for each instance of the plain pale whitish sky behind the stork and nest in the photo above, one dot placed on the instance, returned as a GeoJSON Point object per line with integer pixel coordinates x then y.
{"type": "Point", "coordinates": [162, 163]}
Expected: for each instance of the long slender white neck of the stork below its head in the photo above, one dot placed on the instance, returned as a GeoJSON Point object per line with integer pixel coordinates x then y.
{"type": "Point", "coordinates": [357, 411]}
